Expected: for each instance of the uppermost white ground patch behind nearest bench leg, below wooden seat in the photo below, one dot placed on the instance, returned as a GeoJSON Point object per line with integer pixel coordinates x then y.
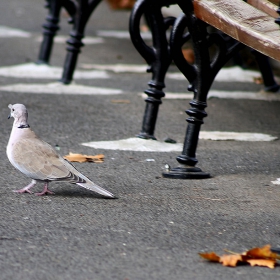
{"type": "Point", "coordinates": [231, 74]}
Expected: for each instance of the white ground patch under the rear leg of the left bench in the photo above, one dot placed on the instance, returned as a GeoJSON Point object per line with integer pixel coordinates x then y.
{"type": "Point", "coordinates": [41, 71]}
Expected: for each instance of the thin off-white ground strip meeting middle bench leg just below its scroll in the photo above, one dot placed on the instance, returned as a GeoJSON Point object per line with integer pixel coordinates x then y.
{"type": "Point", "coordinates": [117, 68]}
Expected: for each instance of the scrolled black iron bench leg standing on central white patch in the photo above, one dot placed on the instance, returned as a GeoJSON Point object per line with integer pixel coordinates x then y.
{"type": "Point", "coordinates": [158, 57]}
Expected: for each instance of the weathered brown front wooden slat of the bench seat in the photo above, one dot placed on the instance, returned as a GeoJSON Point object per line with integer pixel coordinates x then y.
{"type": "Point", "coordinates": [243, 22]}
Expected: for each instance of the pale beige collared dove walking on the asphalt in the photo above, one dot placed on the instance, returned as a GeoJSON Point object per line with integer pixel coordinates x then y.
{"type": "Point", "coordinates": [38, 160]}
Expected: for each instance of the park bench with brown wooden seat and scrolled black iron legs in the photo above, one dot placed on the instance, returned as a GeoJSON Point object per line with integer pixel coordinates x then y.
{"type": "Point", "coordinates": [253, 24]}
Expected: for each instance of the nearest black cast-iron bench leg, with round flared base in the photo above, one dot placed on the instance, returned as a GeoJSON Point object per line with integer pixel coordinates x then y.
{"type": "Point", "coordinates": [201, 76]}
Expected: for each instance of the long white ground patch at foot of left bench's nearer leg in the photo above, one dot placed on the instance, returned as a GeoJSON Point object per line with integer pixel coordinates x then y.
{"type": "Point", "coordinates": [59, 88]}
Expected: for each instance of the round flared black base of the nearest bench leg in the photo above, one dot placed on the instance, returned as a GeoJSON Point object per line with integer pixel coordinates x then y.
{"type": "Point", "coordinates": [185, 173]}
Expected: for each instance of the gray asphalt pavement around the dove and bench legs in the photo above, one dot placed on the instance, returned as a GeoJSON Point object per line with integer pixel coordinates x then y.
{"type": "Point", "coordinates": [157, 226]}
